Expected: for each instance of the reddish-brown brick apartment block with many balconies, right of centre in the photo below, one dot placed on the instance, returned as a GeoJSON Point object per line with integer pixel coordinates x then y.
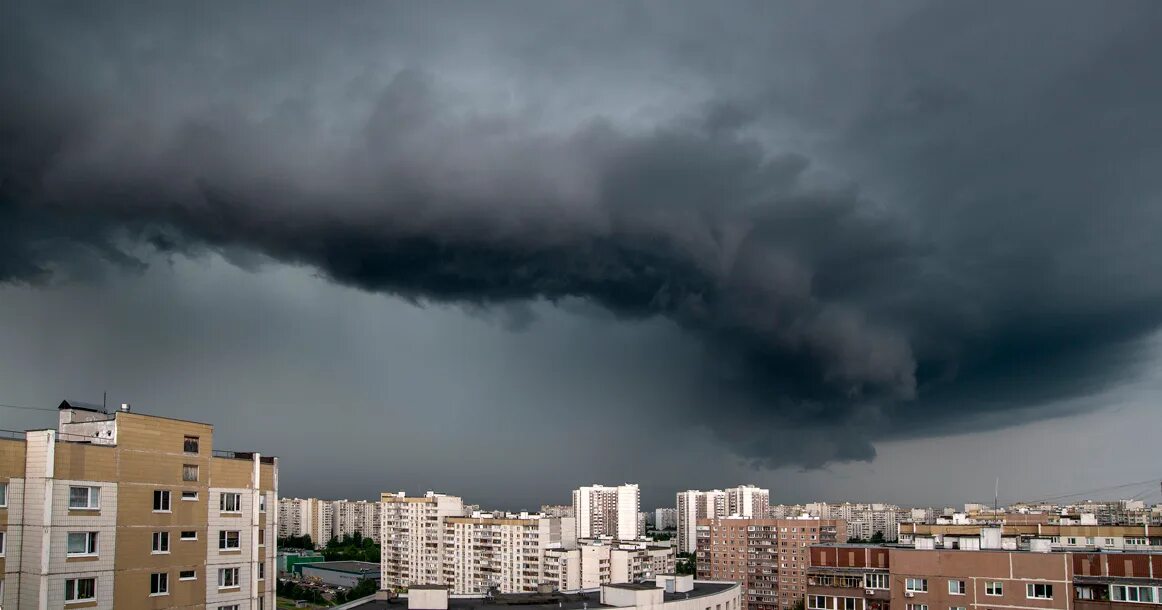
{"type": "Point", "coordinates": [770, 557]}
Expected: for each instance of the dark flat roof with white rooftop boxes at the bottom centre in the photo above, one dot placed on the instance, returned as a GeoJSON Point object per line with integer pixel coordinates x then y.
{"type": "Point", "coordinates": [557, 601]}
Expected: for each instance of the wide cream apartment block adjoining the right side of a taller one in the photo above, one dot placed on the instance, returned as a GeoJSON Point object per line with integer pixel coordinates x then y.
{"type": "Point", "coordinates": [505, 552]}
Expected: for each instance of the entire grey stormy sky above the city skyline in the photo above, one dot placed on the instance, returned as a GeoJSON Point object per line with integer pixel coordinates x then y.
{"type": "Point", "coordinates": [847, 252]}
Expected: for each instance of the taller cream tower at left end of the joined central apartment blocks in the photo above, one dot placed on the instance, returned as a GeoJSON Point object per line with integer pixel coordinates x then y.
{"type": "Point", "coordinates": [412, 537]}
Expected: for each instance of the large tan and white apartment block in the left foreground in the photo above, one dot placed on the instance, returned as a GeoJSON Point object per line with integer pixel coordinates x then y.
{"type": "Point", "coordinates": [130, 511]}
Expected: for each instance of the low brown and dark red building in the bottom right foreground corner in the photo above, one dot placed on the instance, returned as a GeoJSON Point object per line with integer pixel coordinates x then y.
{"type": "Point", "coordinates": [982, 576]}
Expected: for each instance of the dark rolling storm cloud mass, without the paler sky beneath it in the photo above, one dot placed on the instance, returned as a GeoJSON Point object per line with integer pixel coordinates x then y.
{"type": "Point", "coordinates": [880, 223]}
